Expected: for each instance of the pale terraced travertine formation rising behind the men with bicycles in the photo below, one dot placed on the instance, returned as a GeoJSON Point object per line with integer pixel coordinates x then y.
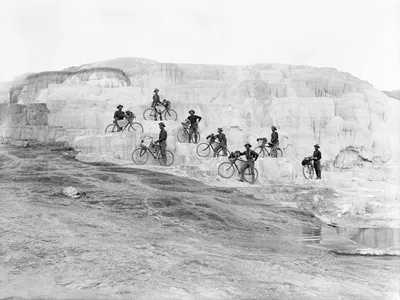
{"type": "Point", "coordinates": [345, 115]}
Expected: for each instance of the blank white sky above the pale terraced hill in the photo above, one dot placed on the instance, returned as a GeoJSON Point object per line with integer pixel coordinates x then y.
{"type": "Point", "coordinates": [361, 37]}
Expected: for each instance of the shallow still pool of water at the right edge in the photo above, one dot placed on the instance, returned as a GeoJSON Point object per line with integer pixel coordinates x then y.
{"type": "Point", "coordinates": [363, 241]}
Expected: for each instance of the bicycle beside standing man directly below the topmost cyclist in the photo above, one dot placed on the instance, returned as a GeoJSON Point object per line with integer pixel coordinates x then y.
{"type": "Point", "coordinates": [141, 154]}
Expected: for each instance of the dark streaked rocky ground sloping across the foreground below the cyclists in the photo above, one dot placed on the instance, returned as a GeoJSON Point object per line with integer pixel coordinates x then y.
{"type": "Point", "coordinates": [140, 234]}
